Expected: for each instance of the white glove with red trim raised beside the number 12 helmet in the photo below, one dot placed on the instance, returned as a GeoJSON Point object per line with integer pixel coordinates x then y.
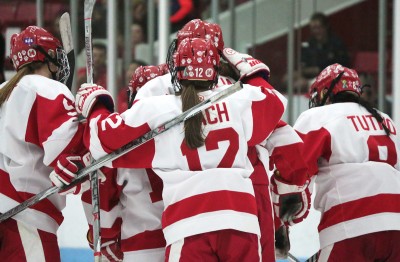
{"type": "Point", "coordinates": [245, 64]}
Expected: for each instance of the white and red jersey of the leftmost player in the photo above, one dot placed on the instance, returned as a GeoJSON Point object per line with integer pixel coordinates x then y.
{"type": "Point", "coordinates": [36, 126]}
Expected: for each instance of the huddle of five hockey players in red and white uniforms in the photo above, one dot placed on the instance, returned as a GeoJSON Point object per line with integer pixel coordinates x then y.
{"type": "Point", "coordinates": [225, 184]}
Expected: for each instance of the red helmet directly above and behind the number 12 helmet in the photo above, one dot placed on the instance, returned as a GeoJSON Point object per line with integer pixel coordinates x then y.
{"type": "Point", "coordinates": [197, 28]}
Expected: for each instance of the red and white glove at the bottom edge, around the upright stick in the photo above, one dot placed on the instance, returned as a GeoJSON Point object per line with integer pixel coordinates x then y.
{"type": "Point", "coordinates": [110, 248]}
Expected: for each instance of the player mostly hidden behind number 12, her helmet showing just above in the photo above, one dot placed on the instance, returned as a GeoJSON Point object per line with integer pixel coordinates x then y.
{"type": "Point", "coordinates": [284, 144]}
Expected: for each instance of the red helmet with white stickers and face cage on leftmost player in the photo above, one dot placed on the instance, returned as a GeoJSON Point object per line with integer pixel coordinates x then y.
{"type": "Point", "coordinates": [33, 45]}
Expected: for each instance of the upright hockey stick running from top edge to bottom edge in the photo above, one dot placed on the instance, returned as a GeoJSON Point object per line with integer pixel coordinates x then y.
{"type": "Point", "coordinates": [94, 178]}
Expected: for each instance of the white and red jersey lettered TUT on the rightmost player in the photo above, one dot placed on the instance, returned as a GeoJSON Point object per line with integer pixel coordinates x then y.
{"type": "Point", "coordinates": [357, 168]}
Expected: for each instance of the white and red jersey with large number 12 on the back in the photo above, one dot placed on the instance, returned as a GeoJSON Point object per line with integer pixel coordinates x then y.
{"type": "Point", "coordinates": [218, 170]}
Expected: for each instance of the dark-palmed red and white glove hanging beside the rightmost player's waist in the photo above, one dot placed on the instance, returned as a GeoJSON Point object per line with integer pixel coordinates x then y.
{"type": "Point", "coordinates": [291, 202]}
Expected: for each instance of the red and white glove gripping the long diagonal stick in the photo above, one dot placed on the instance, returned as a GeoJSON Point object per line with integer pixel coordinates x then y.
{"type": "Point", "coordinates": [65, 171]}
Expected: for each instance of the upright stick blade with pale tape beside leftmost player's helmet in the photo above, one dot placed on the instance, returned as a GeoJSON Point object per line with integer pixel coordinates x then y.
{"type": "Point", "coordinates": [66, 38]}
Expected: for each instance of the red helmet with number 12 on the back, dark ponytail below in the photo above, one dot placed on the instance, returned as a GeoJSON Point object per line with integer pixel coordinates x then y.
{"type": "Point", "coordinates": [196, 59]}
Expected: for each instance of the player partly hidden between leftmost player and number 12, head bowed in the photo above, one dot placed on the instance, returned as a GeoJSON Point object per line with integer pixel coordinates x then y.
{"type": "Point", "coordinates": [131, 202]}
